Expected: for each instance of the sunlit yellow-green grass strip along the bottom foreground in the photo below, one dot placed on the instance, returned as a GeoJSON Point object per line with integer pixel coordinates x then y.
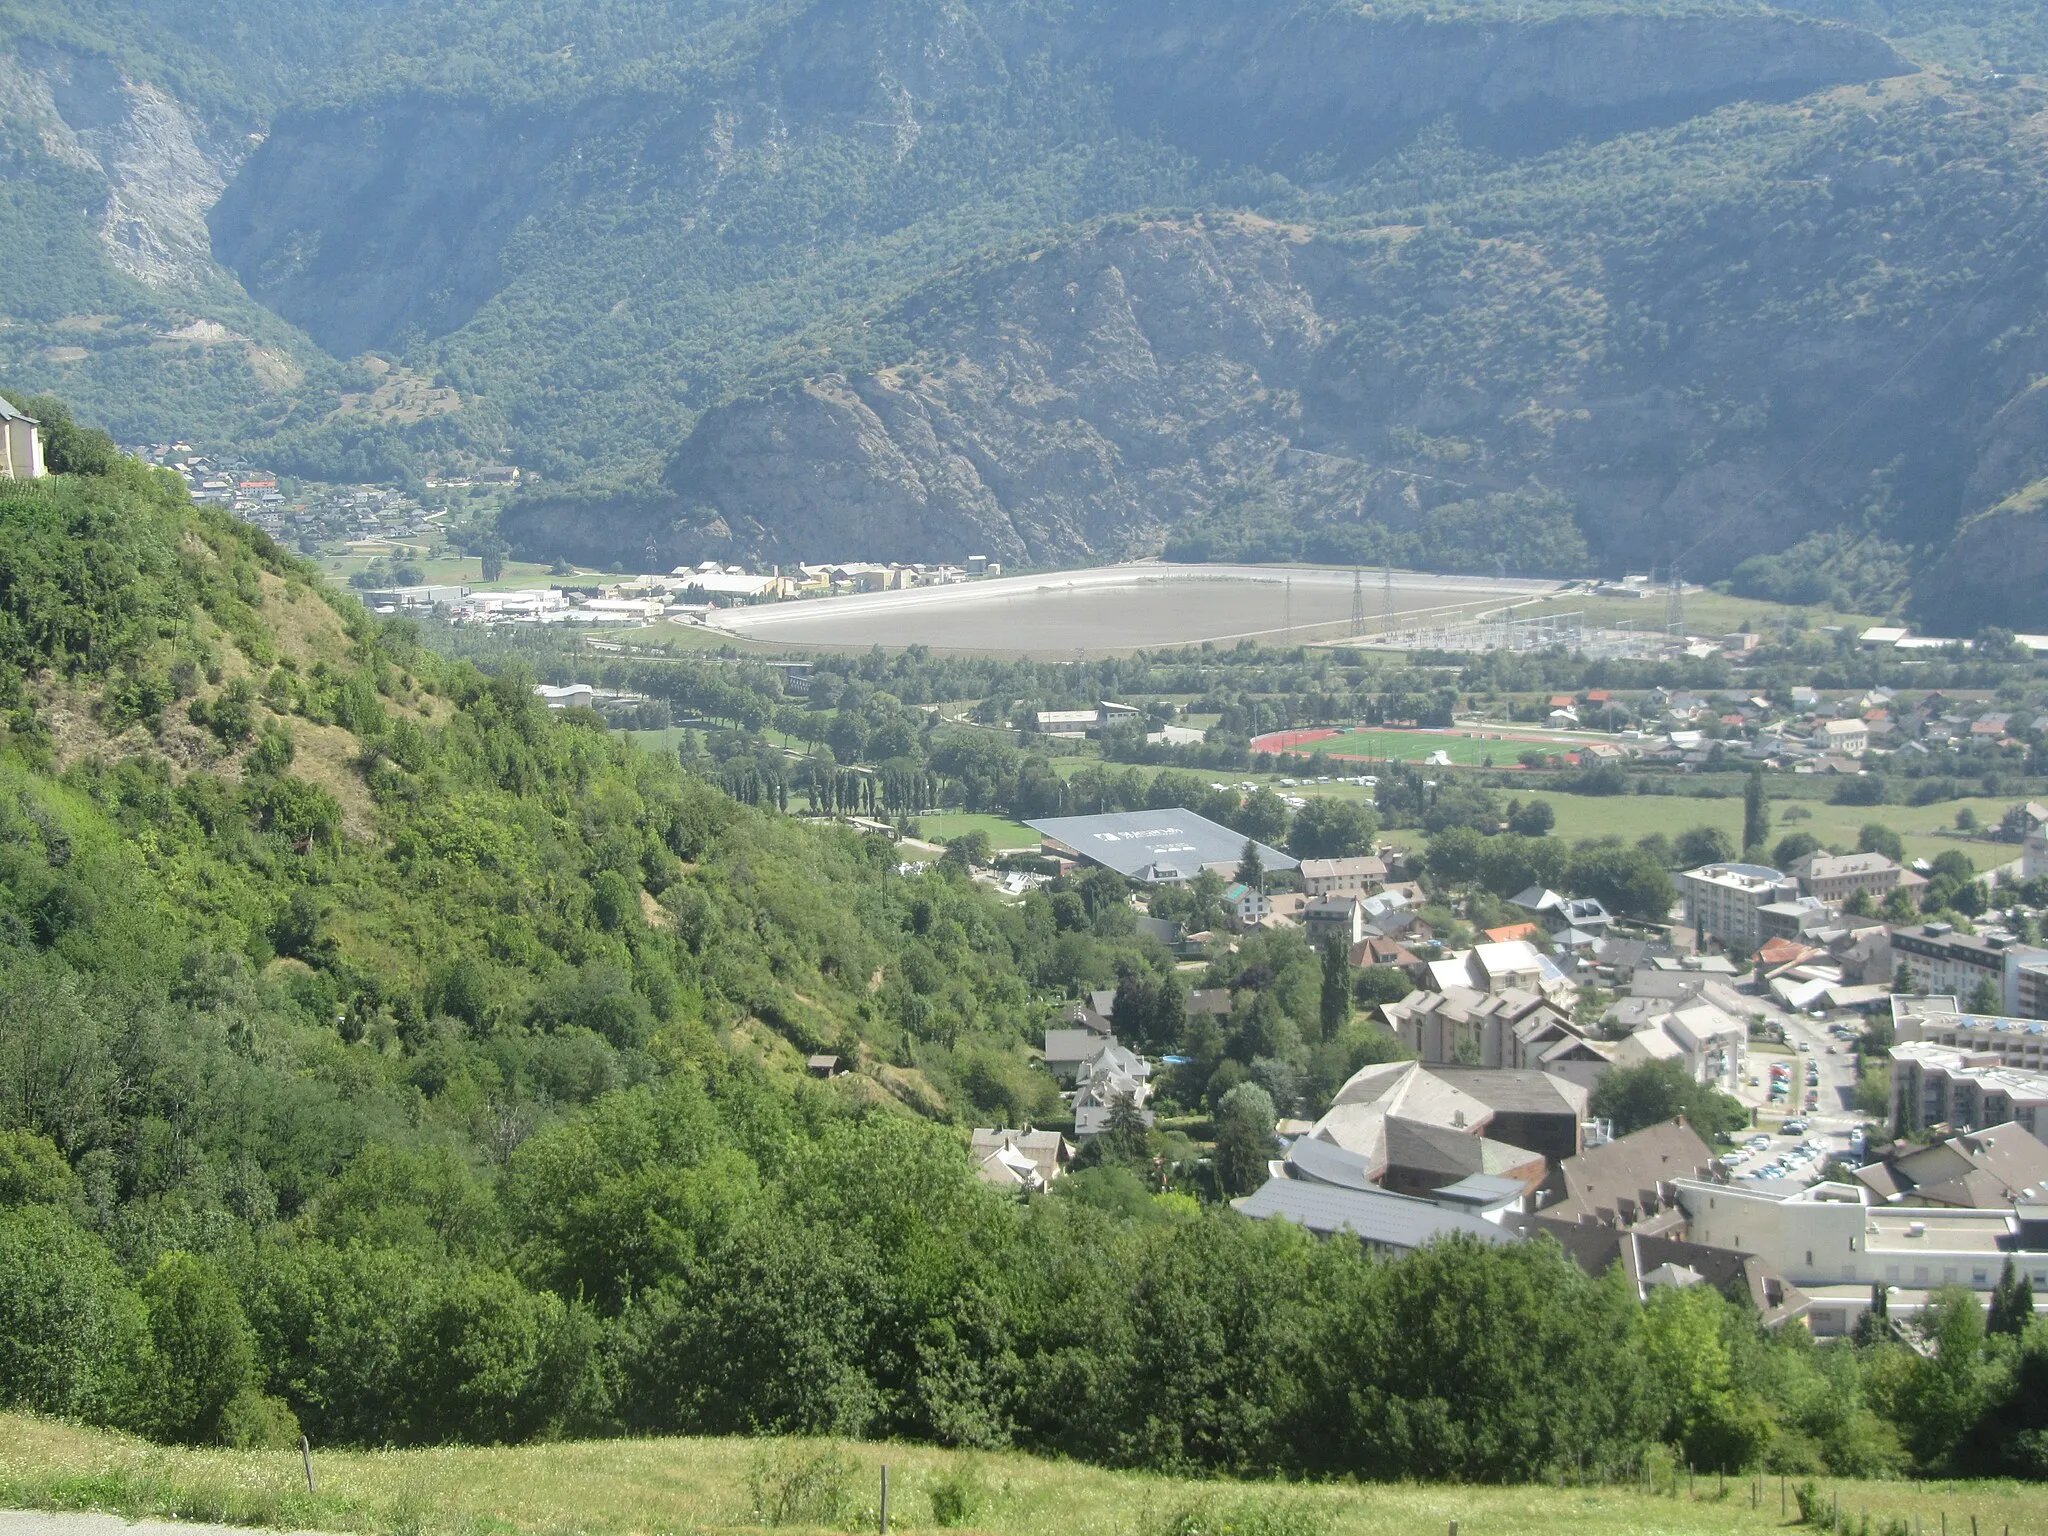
{"type": "Point", "coordinates": [630, 1488]}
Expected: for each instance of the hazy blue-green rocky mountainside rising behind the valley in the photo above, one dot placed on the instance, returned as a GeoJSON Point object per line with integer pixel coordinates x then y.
{"type": "Point", "coordinates": [1560, 286]}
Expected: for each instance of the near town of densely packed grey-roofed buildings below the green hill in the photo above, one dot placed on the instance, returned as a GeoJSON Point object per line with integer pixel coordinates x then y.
{"type": "Point", "coordinates": [1863, 1097]}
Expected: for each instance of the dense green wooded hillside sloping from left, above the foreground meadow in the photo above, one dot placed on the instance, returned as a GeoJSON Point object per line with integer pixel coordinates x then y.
{"type": "Point", "coordinates": [392, 1060]}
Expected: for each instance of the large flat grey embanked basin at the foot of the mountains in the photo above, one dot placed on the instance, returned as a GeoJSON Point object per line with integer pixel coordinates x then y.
{"type": "Point", "coordinates": [1119, 609]}
